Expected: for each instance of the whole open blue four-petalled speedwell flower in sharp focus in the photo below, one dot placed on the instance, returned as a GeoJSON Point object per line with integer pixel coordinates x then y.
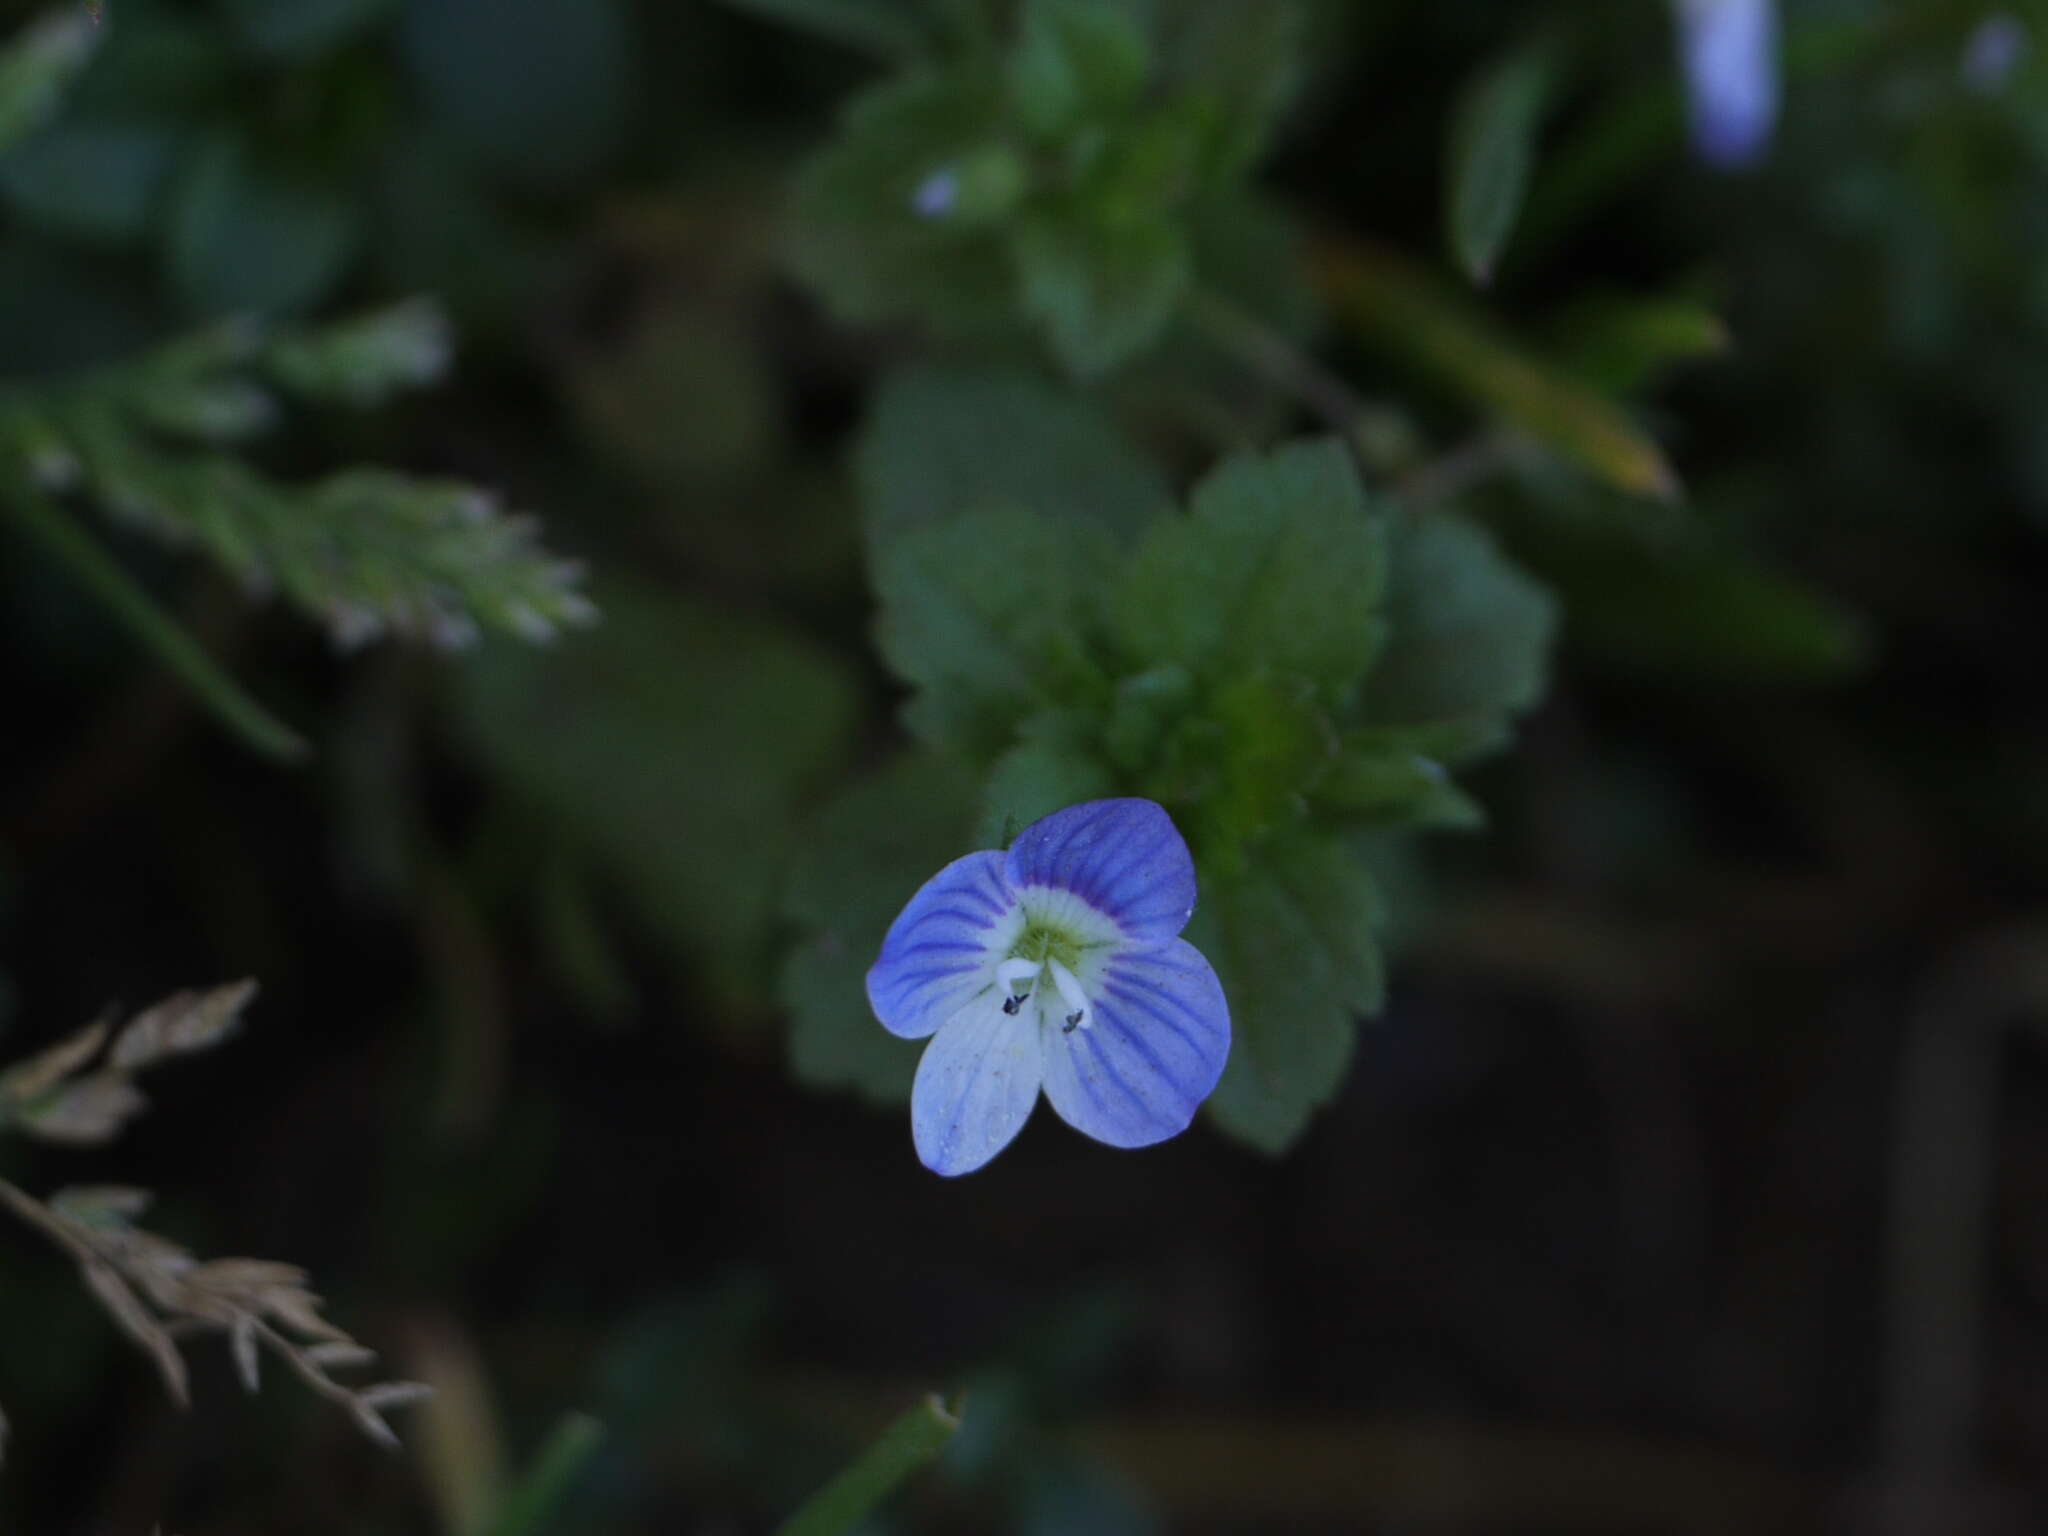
{"type": "Point", "coordinates": [1058, 966]}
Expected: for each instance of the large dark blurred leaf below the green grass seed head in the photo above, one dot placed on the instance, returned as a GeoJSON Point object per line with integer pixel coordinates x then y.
{"type": "Point", "coordinates": [699, 736]}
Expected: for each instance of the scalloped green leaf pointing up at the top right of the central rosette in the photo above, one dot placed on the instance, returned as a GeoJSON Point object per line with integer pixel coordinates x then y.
{"type": "Point", "coordinates": [1279, 564]}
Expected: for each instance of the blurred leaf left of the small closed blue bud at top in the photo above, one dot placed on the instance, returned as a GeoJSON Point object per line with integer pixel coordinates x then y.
{"type": "Point", "coordinates": [857, 234]}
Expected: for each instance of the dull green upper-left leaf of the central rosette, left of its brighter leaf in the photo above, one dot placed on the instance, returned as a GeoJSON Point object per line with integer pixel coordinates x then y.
{"type": "Point", "coordinates": [990, 617]}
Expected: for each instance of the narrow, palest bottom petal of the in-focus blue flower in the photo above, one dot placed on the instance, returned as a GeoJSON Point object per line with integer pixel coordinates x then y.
{"type": "Point", "coordinates": [976, 1086]}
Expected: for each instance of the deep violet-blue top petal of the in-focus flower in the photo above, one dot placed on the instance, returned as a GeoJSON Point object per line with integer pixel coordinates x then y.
{"type": "Point", "coordinates": [1125, 859]}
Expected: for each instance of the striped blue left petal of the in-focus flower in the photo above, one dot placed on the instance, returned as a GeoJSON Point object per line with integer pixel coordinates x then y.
{"type": "Point", "coordinates": [941, 951]}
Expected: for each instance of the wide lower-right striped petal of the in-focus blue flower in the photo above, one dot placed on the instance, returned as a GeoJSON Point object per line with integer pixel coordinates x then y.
{"type": "Point", "coordinates": [1154, 1052]}
